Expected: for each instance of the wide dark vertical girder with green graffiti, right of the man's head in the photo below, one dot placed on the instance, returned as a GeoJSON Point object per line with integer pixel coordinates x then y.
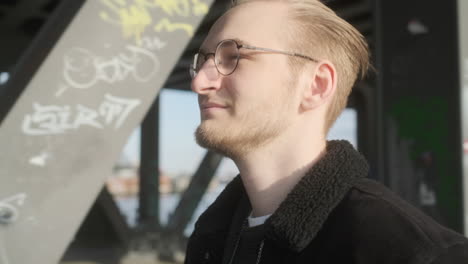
{"type": "Point", "coordinates": [418, 105]}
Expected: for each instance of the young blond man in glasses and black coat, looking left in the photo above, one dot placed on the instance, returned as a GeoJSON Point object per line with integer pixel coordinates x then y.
{"type": "Point", "coordinates": [272, 77]}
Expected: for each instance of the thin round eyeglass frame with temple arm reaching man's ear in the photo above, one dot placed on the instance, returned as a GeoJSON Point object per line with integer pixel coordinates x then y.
{"type": "Point", "coordinates": [239, 46]}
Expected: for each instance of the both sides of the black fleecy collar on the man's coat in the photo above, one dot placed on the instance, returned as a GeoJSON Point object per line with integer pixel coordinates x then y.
{"type": "Point", "coordinates": [306, 208]}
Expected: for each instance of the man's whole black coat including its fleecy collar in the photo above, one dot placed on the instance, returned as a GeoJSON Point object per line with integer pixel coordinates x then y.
{"type": "Point", "coordinates": [333, 215]}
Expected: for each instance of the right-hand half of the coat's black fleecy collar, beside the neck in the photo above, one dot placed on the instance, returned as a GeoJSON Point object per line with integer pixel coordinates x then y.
{"type": "Point", "coordinates": [301, 215]}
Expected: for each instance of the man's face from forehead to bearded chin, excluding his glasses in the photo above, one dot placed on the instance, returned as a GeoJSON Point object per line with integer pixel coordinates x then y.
{"type": "Point", "coordinates": [255, 104]}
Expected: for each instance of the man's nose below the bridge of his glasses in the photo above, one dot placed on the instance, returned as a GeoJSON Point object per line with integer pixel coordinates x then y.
{"type": "Point", "coordinates": [207, 79]}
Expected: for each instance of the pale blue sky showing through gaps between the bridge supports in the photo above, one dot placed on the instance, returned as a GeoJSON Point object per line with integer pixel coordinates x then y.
{"type": "Point", "coordinates": [180, 116]}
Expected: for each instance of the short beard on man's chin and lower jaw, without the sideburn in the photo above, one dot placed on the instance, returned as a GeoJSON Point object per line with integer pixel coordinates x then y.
{"type": "Point", "coordinates": [239, 137]}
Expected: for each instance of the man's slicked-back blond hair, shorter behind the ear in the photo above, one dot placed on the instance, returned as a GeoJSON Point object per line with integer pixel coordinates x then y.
{"type": "Point", "coordinates": [318, 32]}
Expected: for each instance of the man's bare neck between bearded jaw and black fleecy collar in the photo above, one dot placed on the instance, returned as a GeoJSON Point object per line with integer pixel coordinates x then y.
{"type": "Point", "coordinates": [270, 173]}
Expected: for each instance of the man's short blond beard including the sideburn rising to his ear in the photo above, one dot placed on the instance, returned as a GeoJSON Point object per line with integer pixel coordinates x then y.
{"type": "Point", "coordinates": [255, 127]}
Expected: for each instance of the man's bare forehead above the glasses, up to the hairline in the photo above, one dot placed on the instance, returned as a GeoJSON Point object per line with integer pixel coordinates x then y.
{"type": "Point", "coordinates": [259, 23]}
